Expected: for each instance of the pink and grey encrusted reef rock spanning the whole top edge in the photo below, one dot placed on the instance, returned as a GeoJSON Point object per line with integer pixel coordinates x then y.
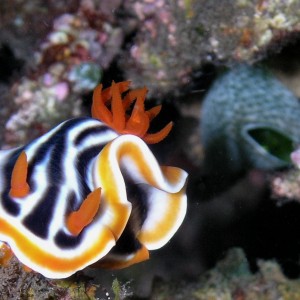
{"type": "Point", "coordinates": [87, 36]}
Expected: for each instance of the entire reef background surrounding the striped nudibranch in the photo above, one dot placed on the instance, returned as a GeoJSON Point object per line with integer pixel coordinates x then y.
{"type": "Point", "coordinates": [202, 60]}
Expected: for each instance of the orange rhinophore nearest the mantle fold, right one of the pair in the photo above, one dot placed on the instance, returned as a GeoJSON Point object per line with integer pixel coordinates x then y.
{"type": "Point", "coordinates": [79, 219]}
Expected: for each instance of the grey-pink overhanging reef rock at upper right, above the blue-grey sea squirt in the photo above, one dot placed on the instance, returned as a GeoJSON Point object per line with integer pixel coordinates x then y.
{"type": "Point", "coordinates": [180, 36]}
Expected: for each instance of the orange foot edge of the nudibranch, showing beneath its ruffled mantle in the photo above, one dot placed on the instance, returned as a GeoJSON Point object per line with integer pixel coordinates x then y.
{"type": "Point", "coordinates": [111, 263]}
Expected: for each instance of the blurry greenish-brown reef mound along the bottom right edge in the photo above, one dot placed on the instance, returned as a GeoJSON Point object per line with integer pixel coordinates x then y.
{"type": "Point", "coordinates": [232, 279]}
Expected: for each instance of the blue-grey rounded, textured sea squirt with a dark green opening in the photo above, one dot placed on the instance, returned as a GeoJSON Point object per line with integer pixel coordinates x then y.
{"type": "Point", "coordinates": [249, 119]}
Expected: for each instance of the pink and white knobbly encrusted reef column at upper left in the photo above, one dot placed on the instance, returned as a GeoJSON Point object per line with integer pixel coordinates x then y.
{"type": "Point", "coordinates": [67, 65]}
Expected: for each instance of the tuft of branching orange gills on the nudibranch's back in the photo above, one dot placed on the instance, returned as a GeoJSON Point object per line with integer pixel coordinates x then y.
{"type": "Point", "coordinates": [118, 118]}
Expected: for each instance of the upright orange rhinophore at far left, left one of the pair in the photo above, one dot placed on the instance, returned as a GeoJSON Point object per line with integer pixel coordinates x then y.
{"type": "Point", "coordinates": [19, 186]}
